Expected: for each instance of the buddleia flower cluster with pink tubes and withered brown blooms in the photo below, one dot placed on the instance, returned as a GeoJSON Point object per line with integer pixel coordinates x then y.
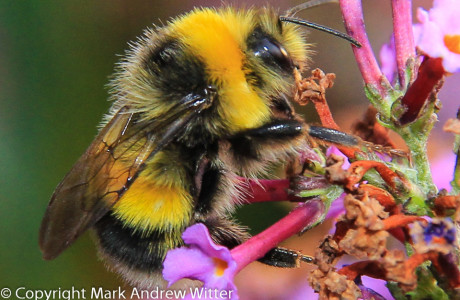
{"type": "Point", "coordinates": [392, 222]}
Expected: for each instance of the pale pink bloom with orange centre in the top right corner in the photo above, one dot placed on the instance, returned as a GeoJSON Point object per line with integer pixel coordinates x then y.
{"type": "Point", "coordinates": [438, 35]}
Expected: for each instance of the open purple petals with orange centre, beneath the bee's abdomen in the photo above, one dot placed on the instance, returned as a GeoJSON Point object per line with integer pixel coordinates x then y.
{"type": "Point", "coordinates": [202, 260]}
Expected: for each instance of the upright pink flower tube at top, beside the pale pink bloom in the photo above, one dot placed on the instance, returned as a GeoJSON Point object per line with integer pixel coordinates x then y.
{"type": "Point", "coordinates": [403, 36]}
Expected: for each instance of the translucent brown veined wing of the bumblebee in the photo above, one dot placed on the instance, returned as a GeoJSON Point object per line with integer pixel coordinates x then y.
{"type": "Point", "coordinates": [107, 169]}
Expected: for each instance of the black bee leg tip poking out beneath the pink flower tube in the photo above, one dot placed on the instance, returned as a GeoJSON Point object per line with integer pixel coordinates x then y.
{"type": "Point", "coordinates": [284, 258]}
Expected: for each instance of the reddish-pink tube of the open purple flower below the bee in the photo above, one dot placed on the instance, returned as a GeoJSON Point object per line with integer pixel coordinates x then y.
{"type": "Point", "coordinates": [301, 217]}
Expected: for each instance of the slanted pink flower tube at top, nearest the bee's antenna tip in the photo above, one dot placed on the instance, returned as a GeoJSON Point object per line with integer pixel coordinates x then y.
{"type": "Point", "coordinates": [352, 13]}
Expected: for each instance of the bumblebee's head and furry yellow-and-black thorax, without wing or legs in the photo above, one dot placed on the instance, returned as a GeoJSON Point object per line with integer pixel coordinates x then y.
{"type": "Point", "coordinates": [246, 56]}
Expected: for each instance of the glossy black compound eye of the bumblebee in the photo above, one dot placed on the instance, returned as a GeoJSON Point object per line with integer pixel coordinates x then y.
{"type": "Point", "coordinates": [273, 53]}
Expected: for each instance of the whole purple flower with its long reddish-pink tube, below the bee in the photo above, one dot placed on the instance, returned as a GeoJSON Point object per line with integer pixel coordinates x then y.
{"type": "Point", "coordinates": [216, 265]}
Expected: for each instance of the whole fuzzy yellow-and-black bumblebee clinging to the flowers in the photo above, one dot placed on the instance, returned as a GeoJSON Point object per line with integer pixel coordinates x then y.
{"type": "Point", "coordinates": [194, 104]}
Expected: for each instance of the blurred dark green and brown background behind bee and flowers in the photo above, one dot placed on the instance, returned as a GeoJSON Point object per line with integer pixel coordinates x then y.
{"type": "Point", "coordinates": [55, 60]}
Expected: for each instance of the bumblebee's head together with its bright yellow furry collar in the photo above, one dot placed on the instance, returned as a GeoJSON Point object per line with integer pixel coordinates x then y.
{"type": "Point", "coordinates": [248, 56]}
